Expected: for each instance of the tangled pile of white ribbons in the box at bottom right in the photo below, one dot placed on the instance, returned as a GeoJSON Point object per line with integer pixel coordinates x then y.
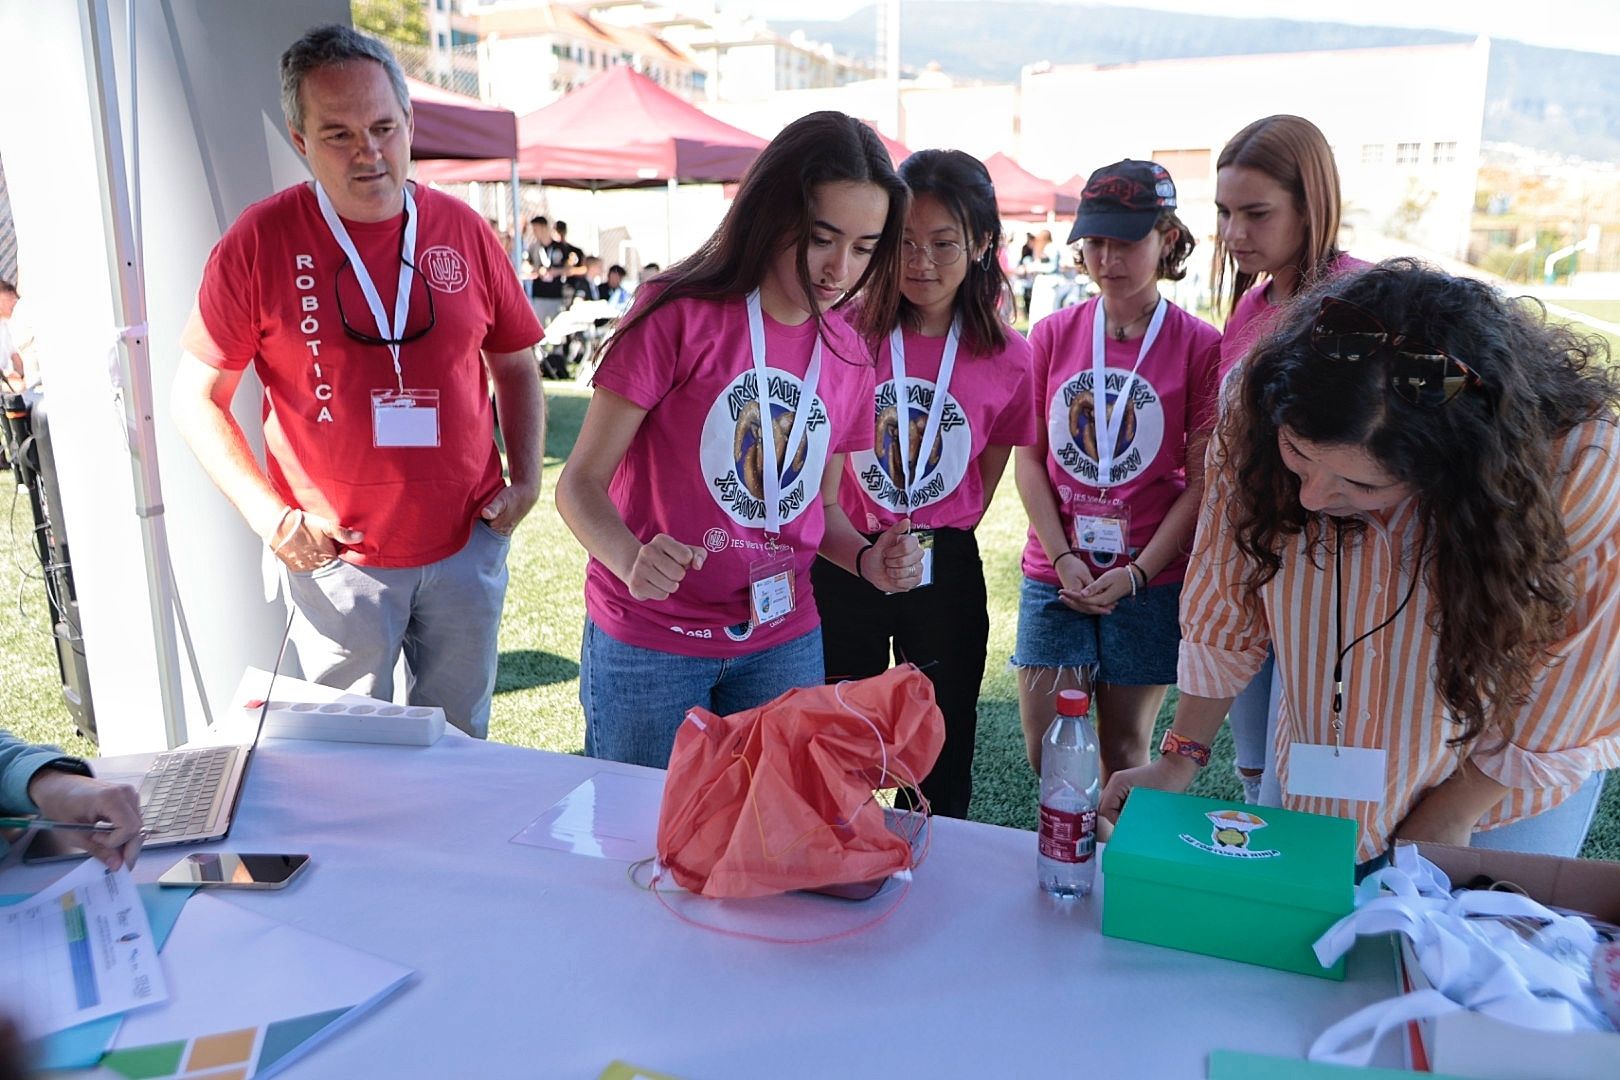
{"type": "Point", "coordinates": [1481, 964]}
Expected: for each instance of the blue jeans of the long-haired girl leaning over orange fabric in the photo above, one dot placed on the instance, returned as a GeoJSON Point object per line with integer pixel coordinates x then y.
{"type": "Point", "coordinates": [636, 699]}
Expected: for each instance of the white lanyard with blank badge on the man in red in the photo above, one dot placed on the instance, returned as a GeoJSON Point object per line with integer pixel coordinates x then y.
{"type": "Point", "coordinates": [399, 417]}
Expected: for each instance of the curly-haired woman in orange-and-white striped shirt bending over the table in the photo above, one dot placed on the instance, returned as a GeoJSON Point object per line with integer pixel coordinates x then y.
{"type": "Point", "coordinates": [1415, 501]}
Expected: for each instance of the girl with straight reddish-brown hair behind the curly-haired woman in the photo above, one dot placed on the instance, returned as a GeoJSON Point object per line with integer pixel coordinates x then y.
{"type": "Point", "coordinates": [1277, 215]}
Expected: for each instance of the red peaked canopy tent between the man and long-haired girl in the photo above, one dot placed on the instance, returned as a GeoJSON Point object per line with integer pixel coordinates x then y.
{"type": "Point", "coordinates": [620, 130]}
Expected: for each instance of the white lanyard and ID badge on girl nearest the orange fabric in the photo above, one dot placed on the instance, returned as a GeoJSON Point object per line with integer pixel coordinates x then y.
{"type": "Point", "coordinates": [772, 579]}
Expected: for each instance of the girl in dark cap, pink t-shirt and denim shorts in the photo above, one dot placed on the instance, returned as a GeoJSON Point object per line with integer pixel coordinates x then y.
{"type": "Point", "coordinates": [1127, 393]}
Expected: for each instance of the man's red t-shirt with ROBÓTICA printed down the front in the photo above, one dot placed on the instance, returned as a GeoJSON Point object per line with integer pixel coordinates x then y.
{"type": "Point", "coordinates": [268, 299]}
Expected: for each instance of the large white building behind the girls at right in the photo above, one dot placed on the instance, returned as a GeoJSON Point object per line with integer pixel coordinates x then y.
{"type": "Point", "coordinates": [1405, 125]}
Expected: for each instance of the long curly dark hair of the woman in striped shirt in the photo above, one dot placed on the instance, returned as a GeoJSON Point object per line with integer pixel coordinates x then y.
{"type": "Point", "coordinates": [1493, 535]}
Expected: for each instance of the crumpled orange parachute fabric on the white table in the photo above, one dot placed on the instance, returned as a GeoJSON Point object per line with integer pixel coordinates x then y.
{"type": "Point", "coordinates": [780, 797]}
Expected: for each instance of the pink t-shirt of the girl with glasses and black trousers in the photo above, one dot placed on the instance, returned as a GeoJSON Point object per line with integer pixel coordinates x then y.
{"type": "Point", "coordinates": [991, 402]}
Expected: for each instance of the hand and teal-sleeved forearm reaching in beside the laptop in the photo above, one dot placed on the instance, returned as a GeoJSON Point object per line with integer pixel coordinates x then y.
{"type": "Point", "coordinates": [45, 781]}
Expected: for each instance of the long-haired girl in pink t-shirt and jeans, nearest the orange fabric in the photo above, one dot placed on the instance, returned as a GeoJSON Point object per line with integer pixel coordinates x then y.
{"type": "Point", "coordinates": [706, 475]}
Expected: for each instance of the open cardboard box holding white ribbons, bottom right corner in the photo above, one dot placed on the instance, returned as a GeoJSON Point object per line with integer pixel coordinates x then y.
{"type": "Point", "coordinates": [1472, 1045]}
